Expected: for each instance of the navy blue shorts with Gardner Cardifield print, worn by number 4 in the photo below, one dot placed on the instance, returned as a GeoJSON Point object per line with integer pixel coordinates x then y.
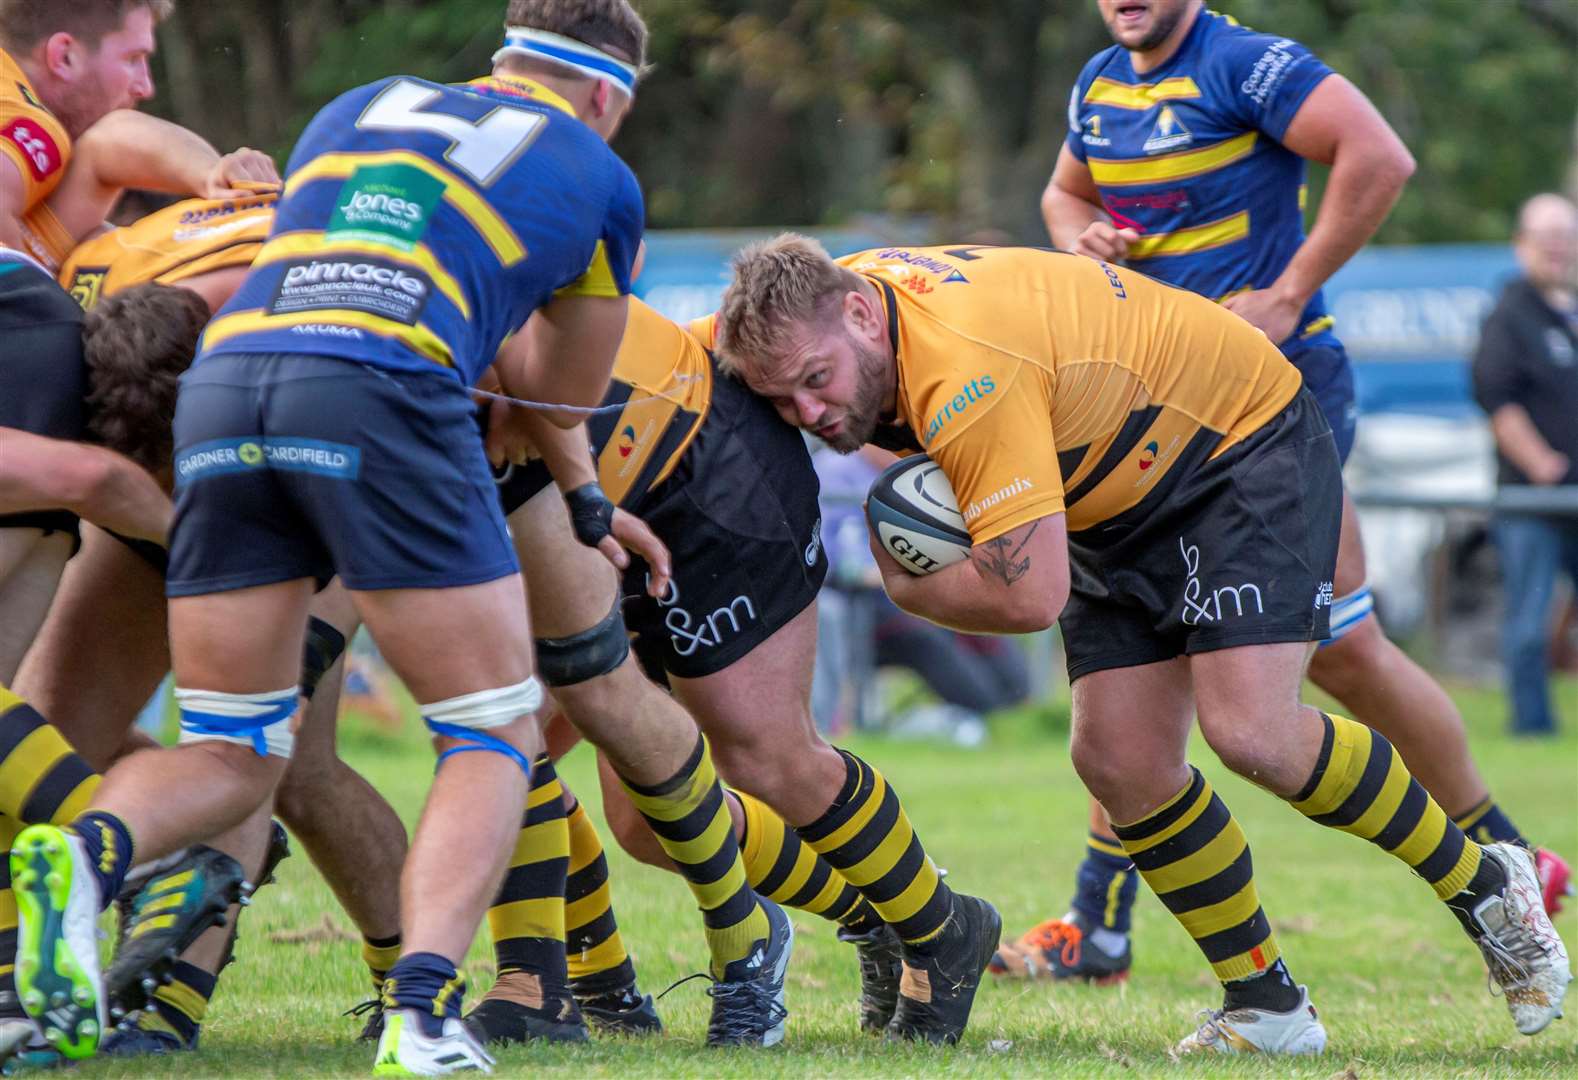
{"type": "Point", "coordinates": [299, 467]}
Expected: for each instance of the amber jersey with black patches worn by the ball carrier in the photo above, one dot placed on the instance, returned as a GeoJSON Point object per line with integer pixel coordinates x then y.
{"type": "Point", "coordinates": [1050, 383]}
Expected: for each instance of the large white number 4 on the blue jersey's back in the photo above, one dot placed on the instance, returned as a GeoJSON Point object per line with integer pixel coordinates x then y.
{"type": "Point", "coordinates": [482, 151]}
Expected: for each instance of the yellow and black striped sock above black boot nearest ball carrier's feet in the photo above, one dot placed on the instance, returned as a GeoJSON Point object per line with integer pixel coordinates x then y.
{"type": "Point", "coordinates": [869, 839]}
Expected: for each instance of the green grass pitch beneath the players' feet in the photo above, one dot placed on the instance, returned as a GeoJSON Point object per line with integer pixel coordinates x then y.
{"type": "Point", "coordinates": [1400, 991]}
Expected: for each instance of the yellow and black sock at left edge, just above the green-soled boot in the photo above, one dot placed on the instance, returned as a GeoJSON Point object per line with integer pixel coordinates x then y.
{"type": "Point", "coordinates": [43, 781]}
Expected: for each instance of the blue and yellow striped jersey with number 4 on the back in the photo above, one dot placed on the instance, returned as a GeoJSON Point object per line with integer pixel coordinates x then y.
{"type": "Point", "coordinates": [422, 225]}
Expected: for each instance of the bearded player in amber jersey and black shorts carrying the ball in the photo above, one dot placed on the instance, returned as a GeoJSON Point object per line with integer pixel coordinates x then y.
{"type": "Point", "coordinates": [1156, 478]}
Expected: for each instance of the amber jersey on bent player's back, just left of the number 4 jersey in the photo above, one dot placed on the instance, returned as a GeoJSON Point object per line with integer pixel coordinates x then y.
{"type": "Point", "coordinates": [170, 247]}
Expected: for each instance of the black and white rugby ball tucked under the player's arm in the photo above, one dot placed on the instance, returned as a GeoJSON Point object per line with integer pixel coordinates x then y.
{"type": "Point", "coordinates": [914, 516]}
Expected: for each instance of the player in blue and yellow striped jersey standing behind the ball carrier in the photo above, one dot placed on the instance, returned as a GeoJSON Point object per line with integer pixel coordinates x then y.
{"type": "Point", "coordinates": [1186, 159]}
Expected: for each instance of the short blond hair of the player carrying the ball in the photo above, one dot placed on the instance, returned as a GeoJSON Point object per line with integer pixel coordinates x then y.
{"type": "Point", "coordinates": [779, 287]}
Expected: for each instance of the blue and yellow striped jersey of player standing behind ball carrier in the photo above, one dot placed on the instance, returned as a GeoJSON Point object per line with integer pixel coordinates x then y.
{"type": "Point", "coordinates": [1191, 156]}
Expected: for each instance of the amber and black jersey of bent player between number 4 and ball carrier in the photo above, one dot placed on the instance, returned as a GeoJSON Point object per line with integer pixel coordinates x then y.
{"type": "Point", "coordinates": [664, 378]}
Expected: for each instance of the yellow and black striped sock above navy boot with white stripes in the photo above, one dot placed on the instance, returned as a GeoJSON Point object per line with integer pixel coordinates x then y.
{"type": "Point", "coordinates": [695, 828]}
